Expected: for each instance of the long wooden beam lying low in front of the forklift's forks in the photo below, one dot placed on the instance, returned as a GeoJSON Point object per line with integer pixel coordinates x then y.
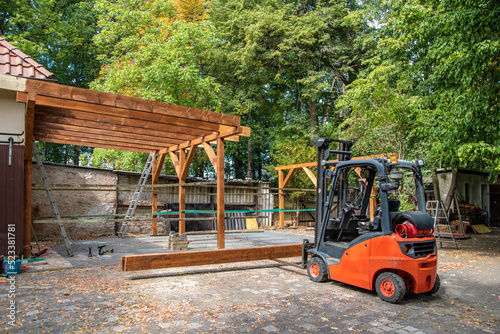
{"type": "Point", "coordinates": [216, 256]}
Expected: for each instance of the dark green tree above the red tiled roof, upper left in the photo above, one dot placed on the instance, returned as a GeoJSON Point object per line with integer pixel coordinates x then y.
{"type": "Point", "coordinates": [58, 35]}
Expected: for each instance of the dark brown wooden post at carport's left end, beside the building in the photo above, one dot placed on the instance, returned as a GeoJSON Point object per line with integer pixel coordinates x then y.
{"type": "Point", "coordinates": [29, 123]}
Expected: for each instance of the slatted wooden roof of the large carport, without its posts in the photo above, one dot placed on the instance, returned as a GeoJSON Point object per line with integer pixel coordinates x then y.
{"type": "Point", "coordinates": [71, 115]}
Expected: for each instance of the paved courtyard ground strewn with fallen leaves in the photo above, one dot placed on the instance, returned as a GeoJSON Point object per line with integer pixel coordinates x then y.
{"type": "Point", "coordinates": [256, 297]}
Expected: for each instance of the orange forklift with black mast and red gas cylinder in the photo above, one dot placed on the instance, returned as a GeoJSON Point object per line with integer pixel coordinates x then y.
{"type": "Point", "coordinates": [384, 249]}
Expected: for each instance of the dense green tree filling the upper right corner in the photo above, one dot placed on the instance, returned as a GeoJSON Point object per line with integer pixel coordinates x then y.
{"type": "Point", "coordinates": [444, 56]}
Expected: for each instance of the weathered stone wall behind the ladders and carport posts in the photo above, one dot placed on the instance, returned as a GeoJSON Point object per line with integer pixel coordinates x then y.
{"type": "Point", "coordinates": [84, 206]}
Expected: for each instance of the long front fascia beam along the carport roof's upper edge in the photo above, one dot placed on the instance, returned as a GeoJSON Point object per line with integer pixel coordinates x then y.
{"type": "Point", "coordinates": [76, 94]}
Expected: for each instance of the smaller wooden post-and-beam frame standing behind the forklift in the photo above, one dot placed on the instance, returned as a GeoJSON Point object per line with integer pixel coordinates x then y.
{"type": "Point", "coordinates": [284, 179]}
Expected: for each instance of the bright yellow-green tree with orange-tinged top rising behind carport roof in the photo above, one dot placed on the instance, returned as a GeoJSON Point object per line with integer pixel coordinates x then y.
{"type": "Point", "coordinates": [147, 53]}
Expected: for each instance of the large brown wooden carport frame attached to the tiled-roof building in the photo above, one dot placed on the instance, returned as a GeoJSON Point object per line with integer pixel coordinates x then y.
{"type": "Point", "coordinates": [69, 115]}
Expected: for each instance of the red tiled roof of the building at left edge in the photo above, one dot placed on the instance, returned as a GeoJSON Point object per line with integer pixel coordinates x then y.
{"type": "Point", "coordinates": [15, 62]}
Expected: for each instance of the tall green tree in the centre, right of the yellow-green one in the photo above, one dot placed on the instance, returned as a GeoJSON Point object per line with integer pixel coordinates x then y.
{"type": "Point", "coordinates": [283, 63]}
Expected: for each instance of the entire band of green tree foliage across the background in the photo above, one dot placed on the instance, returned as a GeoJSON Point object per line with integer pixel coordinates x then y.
{"type": "Point", "coordinates": [422, 76]}
